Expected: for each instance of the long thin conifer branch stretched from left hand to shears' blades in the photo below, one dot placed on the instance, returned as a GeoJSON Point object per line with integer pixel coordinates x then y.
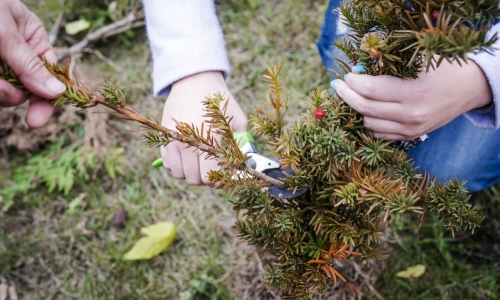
{"type": "Point", "coordinates": [79, 95]}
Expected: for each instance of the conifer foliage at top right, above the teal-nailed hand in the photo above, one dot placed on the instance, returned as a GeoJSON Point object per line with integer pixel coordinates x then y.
{"type": "Point", "coordinates": [400, 37]}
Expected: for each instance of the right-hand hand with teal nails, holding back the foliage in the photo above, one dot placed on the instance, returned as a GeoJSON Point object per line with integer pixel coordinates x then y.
{"type": "Point", "coordinates": [404, 109]}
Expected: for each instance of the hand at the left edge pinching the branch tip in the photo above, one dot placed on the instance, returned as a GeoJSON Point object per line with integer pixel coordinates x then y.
{"type": "Point", "coordinates": [22, 40]}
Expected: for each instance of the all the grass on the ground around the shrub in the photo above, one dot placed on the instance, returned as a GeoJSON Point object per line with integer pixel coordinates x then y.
{"type": "Point", "coordinates": [48, 252]}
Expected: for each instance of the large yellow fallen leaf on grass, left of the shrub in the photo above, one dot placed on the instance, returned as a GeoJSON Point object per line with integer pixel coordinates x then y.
{"type": "Point", "coordinates": [158, 238]}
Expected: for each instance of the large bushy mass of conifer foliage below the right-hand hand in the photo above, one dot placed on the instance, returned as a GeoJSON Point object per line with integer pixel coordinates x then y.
{"type": "Point", "coordinates": [356, 183]}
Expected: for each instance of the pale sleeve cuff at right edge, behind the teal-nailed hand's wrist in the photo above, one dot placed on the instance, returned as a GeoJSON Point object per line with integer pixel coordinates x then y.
{"type": "Point", "coordinates": [490, 64]}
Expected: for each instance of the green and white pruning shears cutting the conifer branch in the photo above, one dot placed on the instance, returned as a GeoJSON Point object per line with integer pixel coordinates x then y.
{"type": "Point", "coordinates": [262, 164]}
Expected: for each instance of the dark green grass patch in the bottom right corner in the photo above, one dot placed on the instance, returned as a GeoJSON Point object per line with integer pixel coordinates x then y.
{"type": "Point", "coordinates": [464, 267]}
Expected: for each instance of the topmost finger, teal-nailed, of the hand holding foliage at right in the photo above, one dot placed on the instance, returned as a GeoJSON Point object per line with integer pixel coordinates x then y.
{"type": "Point", "coordinates": [379, 88]}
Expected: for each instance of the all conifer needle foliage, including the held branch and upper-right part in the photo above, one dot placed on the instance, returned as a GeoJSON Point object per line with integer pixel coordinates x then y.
{"type": "Point", "coordinates": [355, 182]}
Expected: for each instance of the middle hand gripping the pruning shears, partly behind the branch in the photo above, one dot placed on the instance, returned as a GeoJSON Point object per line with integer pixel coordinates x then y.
{"type": "Point", "coordinates": [184, 104]}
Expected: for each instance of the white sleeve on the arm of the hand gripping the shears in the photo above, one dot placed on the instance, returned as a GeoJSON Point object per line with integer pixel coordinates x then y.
{"type": "Point", "coordinates": [185, 38]}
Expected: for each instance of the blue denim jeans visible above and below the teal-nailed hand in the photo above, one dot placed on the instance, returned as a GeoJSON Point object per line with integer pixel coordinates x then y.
{"type": "Point", "coordinates": [456, 150]}
